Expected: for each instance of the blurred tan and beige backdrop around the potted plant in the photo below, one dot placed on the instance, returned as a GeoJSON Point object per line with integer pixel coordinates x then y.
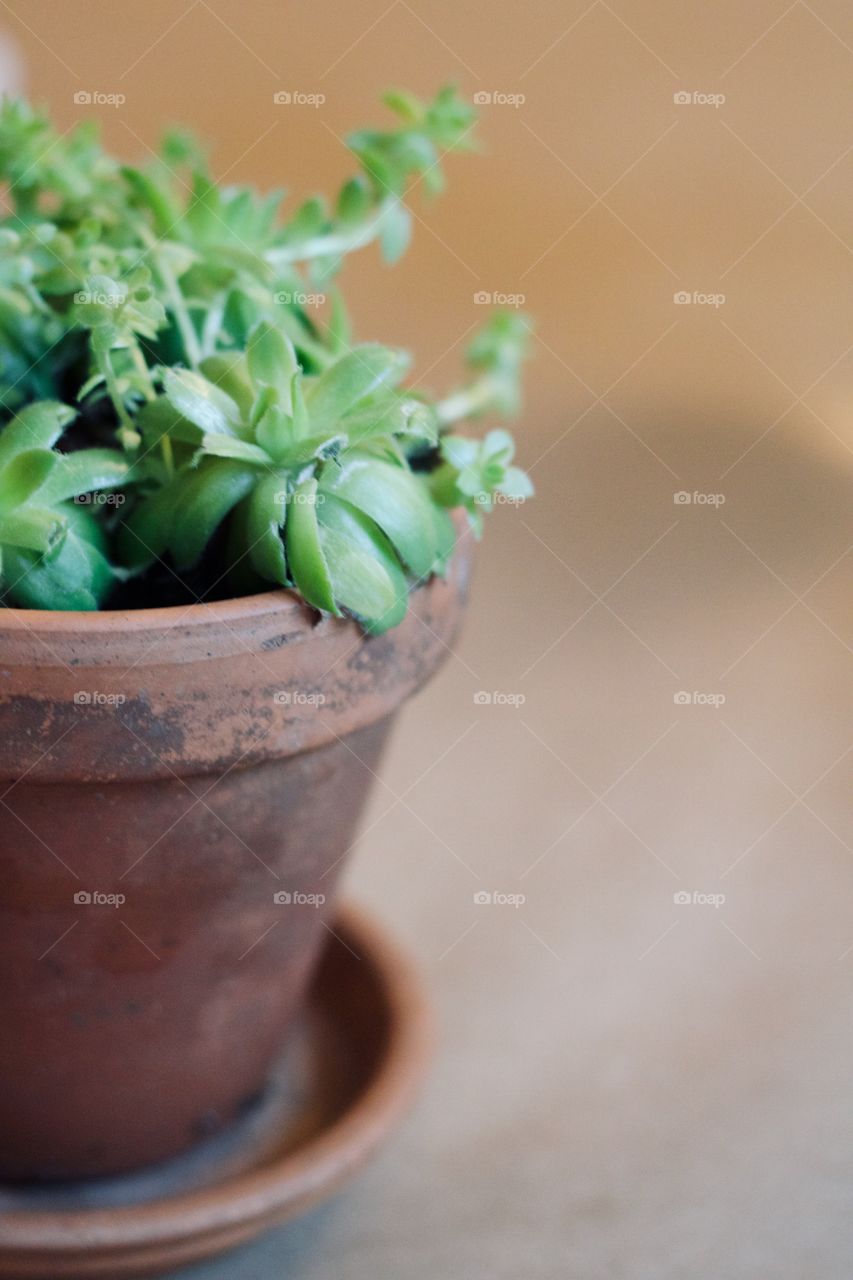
{"type": "Point", "coordinates": [645, 1067]}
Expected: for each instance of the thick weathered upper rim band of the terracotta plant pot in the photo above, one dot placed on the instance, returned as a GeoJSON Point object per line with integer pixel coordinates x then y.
{"type": "Point", "coordinates": [102, 697]}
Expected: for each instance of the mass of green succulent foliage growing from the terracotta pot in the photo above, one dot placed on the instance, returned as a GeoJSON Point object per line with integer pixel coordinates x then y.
{"type": "Point", "coordinates": [174, 403]}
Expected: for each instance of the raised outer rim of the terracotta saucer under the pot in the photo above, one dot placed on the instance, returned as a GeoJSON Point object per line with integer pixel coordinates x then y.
{"type": "Point", "coordinates": [226, 1214]}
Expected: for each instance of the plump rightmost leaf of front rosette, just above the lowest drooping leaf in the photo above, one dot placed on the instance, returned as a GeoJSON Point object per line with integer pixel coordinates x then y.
{"type": "Point", "coordinates": [395, 500]}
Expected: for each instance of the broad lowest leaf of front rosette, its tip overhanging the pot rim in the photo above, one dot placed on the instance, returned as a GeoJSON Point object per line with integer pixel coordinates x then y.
{"type": "Point", "coordinates": [366, 574]}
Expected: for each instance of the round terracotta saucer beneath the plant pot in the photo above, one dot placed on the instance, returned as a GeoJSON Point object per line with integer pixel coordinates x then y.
{"type": "Point", "coordinates": [350, 1069]}
